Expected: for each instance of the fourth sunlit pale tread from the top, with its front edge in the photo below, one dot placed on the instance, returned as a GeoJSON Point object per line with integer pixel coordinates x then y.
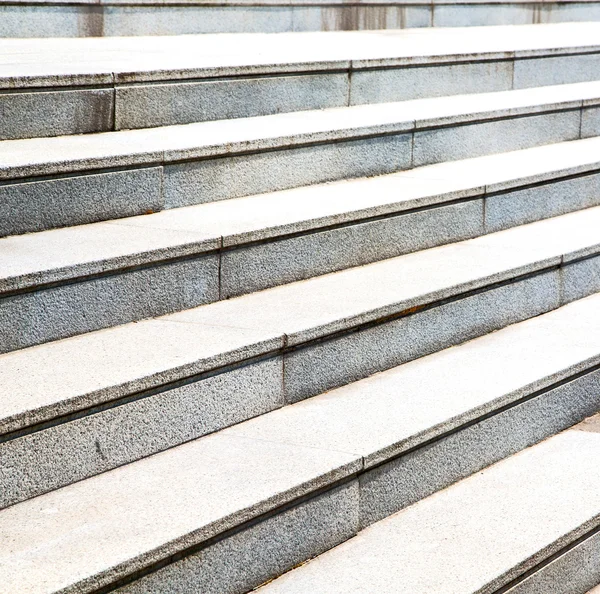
{"type": "Point", "coordinates": [47, 380]}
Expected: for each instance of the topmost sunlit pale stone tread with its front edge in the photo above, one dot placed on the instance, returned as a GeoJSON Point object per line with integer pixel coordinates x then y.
{"type": "Point", "coordinates": [66, 62]}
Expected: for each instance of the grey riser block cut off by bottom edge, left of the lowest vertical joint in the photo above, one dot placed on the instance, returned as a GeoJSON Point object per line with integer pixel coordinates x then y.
{"type": "Point", "coordinates": [264, 551]}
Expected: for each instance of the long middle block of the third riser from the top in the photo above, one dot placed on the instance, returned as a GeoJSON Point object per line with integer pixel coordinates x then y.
{"type": "Point", "coordinates": [230, 177]}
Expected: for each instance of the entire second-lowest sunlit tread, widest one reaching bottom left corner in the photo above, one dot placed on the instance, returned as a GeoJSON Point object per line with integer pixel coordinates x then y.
{"type": "Point", "coordinates": [160, 508]}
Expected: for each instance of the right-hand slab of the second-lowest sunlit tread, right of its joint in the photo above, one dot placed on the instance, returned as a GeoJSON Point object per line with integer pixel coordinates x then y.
{"type": "Point", "coordinates": [396, 410]}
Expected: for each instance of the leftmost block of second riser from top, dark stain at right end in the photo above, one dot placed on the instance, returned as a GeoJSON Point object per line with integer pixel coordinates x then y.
{"type": "Point", "coordinates": [53, 113]}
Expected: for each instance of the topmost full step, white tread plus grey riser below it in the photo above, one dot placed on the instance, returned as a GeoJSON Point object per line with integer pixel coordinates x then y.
{"type": "Point", "coordinates": [52, 87]}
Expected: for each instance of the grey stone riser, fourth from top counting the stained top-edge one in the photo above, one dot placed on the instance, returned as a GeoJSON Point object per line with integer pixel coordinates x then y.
{"type": "Point", "coordinates": [49, 314]}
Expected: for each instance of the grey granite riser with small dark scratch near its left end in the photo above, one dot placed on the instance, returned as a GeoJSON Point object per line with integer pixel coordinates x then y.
{"type": "Point", "coordinates": [102, 441]}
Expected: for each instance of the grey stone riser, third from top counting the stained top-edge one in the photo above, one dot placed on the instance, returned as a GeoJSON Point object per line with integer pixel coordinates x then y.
{"type": "Point", "coordinates": [84, 198]}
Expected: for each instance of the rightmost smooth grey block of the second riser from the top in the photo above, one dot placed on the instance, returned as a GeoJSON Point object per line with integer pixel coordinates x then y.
{"type": "Point", "coordinates": [556, 70]}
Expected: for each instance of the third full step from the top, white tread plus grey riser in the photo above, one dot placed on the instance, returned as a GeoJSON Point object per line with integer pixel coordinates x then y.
{"type": "Point", "coordinates": [64, 282]}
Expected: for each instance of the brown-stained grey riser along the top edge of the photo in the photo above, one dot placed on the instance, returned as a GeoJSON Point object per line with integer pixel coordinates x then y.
{"type": "Point", "coordinates": [82, 18]}
